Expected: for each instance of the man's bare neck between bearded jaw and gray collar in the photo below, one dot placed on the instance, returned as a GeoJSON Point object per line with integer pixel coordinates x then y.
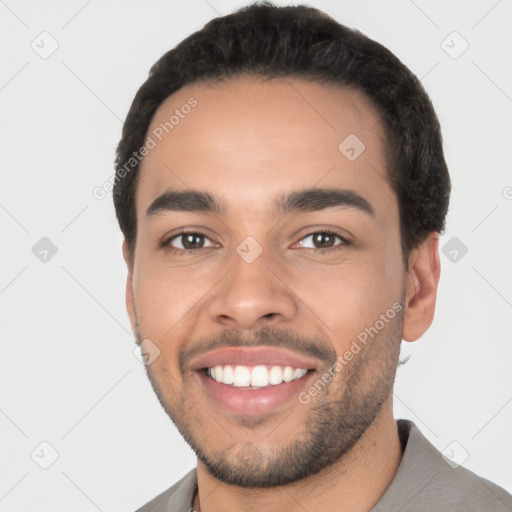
{"type": "Point", "coordinates": [354, 483]}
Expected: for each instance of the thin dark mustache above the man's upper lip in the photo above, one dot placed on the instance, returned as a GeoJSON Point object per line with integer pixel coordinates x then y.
{"type": "Point", "coordinates": [268, 336]}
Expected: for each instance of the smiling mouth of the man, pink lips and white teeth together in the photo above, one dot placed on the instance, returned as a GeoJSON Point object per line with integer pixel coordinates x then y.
{"type": "Point", "coordinates": [253, 380]}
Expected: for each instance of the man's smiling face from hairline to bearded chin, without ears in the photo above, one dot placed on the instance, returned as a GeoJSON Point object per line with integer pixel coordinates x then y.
{"type": "Point", "coordinates": [270, 285]}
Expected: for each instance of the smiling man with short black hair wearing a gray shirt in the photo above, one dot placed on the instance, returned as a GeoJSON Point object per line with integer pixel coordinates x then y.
{"type": "Point", "coordinates": [281, 188]}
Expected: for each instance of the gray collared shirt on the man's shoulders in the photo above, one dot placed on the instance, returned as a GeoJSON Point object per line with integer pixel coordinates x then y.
{"type": "Point", "coordinates": [424, 482]}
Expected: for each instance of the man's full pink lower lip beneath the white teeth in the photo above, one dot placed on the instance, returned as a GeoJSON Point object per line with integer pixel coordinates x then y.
{"type": "Point", "coordinates": [252, 402]}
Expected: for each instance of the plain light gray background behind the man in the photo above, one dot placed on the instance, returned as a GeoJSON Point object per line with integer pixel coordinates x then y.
{"type": "Point", "coordinates": [68, 373]}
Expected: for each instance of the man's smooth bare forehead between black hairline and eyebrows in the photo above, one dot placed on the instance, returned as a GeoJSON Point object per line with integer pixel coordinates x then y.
{"type": "Point", "coordinates": [248, 140]}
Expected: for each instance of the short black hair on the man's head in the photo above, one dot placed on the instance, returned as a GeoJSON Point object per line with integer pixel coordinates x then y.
{"type": "Point", "coordinates": [267, 41]}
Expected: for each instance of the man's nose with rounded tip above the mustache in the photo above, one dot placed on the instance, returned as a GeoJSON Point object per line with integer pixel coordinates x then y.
{"type": "Point", "coordinates": [252, 295]}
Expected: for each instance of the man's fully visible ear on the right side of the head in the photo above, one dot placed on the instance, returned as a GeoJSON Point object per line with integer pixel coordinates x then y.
{"type": "Point", "coordinates": [421, 288]}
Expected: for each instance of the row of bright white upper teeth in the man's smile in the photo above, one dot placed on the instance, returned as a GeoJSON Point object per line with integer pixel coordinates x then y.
{"type": "Point", "coordinates": [257, 377]}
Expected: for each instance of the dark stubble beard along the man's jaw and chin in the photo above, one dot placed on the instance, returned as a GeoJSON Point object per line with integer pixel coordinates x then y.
{"type": "Point", "coordinates": [339, 415]}
